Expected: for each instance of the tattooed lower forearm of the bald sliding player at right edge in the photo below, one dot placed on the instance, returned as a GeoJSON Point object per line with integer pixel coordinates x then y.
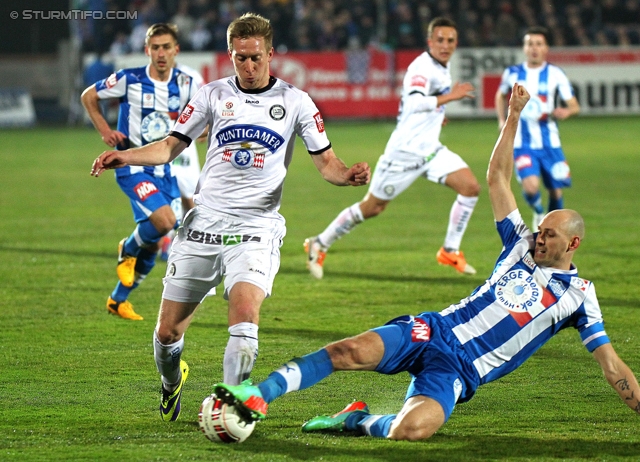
{"type": "Point", "coordinates": [619, 376]}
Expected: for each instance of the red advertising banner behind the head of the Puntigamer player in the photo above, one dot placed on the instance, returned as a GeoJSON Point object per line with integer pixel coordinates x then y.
{"type": "Point", "coordinates": [363, 83]}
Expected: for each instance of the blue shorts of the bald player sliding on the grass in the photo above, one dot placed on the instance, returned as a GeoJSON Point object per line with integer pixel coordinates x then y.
{"type": "Point", "coordinates": [428, 350]}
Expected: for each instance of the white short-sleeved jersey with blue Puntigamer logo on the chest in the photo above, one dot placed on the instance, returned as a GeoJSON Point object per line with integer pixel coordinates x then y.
{"type": "Point", "coordinates": [251, 141]}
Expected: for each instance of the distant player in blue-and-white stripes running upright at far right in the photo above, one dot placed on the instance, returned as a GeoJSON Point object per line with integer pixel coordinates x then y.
{"type": "Point", "coordinates": [538, 152]}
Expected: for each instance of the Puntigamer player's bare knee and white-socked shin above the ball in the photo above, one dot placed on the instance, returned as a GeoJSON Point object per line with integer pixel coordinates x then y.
{"type": "Point", "coordinates": [241, 352]}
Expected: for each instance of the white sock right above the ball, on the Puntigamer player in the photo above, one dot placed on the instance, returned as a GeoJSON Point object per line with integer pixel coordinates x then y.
{"type": "Point", "coordinates": [241, 352]}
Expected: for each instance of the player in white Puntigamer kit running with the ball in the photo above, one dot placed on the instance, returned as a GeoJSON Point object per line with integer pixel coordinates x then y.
{"type": "Point", "coordinates": [235, 231]}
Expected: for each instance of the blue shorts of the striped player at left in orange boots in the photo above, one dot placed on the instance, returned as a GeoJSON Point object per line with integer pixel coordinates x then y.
{"type": "Point", "coordinates": [148, 193]}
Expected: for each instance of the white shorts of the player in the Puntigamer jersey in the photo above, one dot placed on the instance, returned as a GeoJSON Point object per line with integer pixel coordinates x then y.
{"type": "Point", "coordinates": [208, 248]}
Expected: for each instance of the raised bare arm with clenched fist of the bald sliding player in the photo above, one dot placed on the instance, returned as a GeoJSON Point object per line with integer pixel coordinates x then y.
{"type": "Point", "coordinates": [500, 168]}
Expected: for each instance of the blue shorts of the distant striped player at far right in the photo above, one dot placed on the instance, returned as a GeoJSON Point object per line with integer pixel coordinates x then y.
{"type": "Point", "coordinates": [550, 164]}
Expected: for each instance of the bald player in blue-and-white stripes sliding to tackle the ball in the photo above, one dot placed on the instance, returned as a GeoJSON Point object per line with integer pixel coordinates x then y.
{"type": "Point", "coordinates": [533, 292]}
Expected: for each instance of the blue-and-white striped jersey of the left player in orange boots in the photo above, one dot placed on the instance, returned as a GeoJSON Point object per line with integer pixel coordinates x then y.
{"type": "Point", "coordinates": [148, 108]}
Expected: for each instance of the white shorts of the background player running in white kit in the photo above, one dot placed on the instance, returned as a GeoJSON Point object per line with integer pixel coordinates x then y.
{"type": "Point", "coordinates": [396, 172]}
